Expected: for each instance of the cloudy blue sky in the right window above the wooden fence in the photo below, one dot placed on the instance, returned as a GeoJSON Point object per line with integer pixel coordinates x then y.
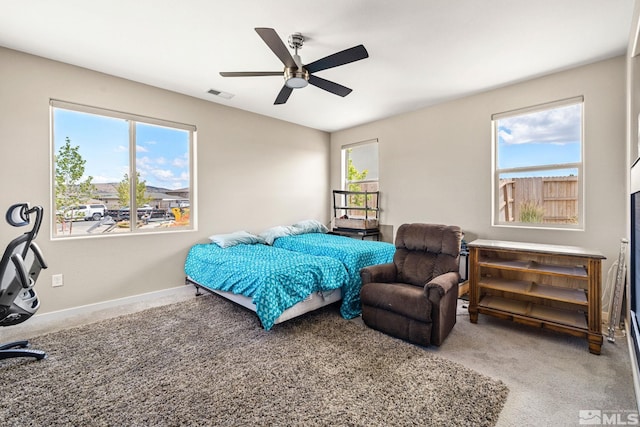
{"type": "Point", "coordinates": [542, 138]}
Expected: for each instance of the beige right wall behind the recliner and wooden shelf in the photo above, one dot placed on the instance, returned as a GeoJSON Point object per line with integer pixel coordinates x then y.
{"type": "Point", "coordinates": [435, 163]}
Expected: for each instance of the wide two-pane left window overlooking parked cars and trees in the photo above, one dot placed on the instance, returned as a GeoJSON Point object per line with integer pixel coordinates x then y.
{"type": "Point", "coordinates": [116, 173]}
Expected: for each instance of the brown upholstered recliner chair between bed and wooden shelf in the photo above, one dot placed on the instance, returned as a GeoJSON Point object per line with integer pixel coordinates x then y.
{"type": "Point", "coordinates": [415, 297]}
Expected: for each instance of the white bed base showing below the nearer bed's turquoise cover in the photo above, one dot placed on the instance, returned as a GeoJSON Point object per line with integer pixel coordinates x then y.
{"type": "Point", "coordinates": [314, 301]}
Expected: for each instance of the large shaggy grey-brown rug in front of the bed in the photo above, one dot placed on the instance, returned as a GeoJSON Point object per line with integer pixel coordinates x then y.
{"type": "Point", "coordinates": [207, 362]}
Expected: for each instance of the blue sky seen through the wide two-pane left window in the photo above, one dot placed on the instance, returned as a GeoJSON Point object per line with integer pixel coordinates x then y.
{"type": "Point", "coordinates": [162, 154]}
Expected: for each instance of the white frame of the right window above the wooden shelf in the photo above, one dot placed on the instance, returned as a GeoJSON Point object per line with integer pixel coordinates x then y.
{"type": "Point", "coordinates": [495, 214]}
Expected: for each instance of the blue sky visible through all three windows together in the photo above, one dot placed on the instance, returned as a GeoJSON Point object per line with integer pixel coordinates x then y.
{"type": "Point", "coordinates": [162, 154]}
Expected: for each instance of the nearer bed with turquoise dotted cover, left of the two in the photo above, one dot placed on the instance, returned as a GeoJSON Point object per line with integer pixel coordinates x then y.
{"type": "Point", "coordinates": [276, 283]}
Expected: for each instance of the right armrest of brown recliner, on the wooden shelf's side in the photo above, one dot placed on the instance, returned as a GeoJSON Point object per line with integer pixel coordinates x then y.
{"type": "Point", "coordinates": [442, 292]}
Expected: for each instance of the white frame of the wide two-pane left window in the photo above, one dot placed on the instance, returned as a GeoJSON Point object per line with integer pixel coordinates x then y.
{"type": "Point", "coordinates": [132, 119]}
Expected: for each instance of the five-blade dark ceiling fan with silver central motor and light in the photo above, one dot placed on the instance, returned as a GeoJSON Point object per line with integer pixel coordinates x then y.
{"type": "Point", "coordinates": [297, 75]}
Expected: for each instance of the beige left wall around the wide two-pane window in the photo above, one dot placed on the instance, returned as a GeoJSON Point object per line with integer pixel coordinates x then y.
{"type": "Point", "coordinates": [252, 172]}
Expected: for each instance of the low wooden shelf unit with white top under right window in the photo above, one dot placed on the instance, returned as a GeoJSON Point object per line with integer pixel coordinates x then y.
{"type": "Point", "coordinates": [548, 286]}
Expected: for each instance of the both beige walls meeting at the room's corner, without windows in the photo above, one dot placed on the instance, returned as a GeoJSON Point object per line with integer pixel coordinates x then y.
{"type": "Point", "coordinates": [434, 167]}
